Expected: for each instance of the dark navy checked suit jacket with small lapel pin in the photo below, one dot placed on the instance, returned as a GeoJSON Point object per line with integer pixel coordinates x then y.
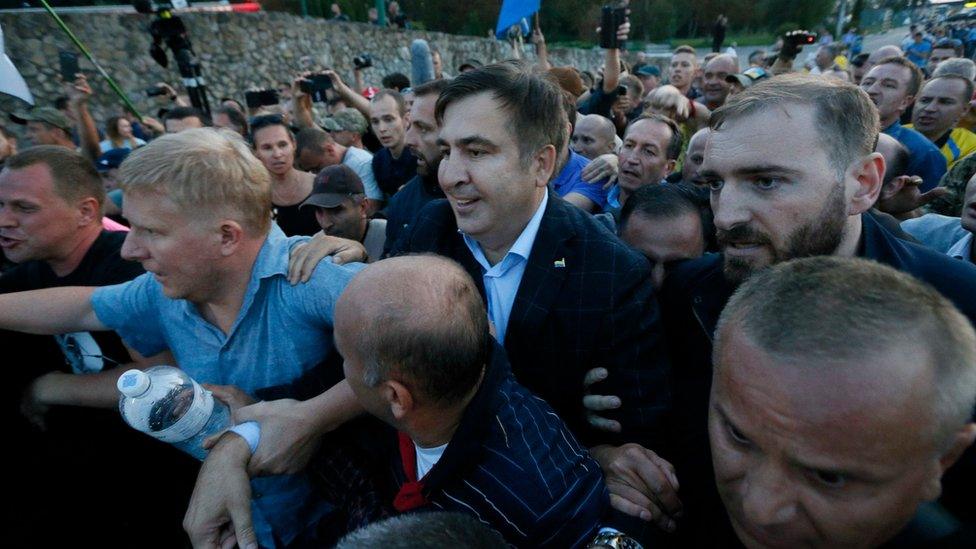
{"type": "Point", "coordinates": [585, 300]}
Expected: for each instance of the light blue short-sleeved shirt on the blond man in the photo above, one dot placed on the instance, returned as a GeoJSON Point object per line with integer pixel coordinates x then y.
{"type": "Point", "coordinates": [281, 334]}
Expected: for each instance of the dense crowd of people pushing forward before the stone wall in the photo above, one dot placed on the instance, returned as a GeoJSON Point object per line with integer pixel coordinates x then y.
{"type": "Point", "coordinates": [717, 303]}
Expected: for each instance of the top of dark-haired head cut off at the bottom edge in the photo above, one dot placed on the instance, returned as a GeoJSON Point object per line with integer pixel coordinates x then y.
{"type": "Point", "coordinates": [424, 531]}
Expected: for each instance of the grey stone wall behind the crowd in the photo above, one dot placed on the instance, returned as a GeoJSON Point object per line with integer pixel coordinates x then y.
{"type": "Point", "coordinates": [238, 52]}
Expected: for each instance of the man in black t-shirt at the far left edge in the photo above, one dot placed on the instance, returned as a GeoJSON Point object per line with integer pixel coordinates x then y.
{"type": "Point", "coordinates": [81, 459]}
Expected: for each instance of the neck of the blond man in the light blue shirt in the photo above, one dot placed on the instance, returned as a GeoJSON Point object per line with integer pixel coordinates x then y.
{"type": "Point", "coordinates": [222, 307]}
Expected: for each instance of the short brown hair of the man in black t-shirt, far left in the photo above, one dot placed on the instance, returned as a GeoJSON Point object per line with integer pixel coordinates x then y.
{"type": "Point", "coordinates": [75, 177]}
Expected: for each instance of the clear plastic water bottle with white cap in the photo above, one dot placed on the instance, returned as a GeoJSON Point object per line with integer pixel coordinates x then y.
{"type": "Point", "coordinates": [167, 404]}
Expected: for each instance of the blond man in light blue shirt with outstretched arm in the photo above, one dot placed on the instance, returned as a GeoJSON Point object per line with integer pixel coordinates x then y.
{"type": "Point", "coordinates": [216, 294]}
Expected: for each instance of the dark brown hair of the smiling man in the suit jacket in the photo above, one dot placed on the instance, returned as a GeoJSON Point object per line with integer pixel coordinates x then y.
{"type": "Point", "coordinates": [534, 103]}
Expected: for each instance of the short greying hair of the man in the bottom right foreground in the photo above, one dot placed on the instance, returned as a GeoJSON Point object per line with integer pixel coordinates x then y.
{"type": "Point", "coordinates": [830, 310]}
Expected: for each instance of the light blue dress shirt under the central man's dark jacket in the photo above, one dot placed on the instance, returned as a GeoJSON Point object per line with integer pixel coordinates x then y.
{"type": "Point", "coordinates": [503, 278]}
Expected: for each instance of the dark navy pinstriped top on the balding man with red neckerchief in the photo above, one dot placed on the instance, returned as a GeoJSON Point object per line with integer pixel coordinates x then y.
{"type": "Point", "coordinates": [514, 465]}
